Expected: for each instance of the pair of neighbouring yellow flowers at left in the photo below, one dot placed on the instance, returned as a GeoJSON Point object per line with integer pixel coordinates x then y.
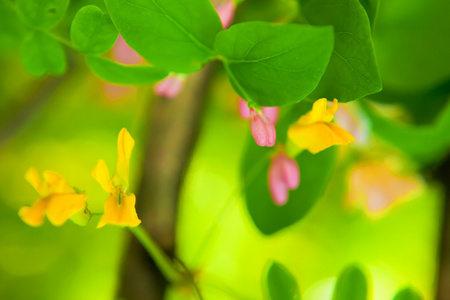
{"type": "Point", "coordinates": [60, 202]}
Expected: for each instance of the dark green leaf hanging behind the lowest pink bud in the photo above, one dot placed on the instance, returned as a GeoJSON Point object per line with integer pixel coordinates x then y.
{"type": "Point", "coordinates": [315, 170]}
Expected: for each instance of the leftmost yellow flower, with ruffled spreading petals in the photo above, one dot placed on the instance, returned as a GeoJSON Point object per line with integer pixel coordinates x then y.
{"type": "Point", "coordinates": [59, 201]}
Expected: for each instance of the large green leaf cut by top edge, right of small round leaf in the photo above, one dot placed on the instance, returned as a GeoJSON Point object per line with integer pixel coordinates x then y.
{"type": "Point", "coordinates": [175, 35]}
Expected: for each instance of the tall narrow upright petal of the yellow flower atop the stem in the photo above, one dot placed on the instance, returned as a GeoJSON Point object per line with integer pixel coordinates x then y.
{"type": "Point", "coordinates": [125, 145]}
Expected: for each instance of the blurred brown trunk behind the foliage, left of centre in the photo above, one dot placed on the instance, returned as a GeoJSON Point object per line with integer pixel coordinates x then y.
{"type": "Point", "coordinates": [173, 130]}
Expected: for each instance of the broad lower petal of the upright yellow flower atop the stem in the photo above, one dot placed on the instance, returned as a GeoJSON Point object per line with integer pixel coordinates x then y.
{"type": "Point", "coordinates": [123, 214]}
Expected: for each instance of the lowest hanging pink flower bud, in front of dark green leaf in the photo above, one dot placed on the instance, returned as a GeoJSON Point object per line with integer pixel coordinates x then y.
{"type": "Point", "coordinates": [284, 175]}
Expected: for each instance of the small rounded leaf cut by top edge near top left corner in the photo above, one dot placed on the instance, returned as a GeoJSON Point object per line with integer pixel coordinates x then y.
{"type": "Point", "coordinates": [42, 14]}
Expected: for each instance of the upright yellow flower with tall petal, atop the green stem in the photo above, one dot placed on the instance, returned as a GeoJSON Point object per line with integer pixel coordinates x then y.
{"type": "Point", "coordinates": [120, 205]}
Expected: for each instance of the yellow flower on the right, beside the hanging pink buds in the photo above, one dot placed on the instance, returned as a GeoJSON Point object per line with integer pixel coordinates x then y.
{"type": "Point", "coordinates": [315, 132]}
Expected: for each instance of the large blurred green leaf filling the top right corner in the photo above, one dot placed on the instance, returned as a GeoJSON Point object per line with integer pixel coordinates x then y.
{"type": "Point", "coordinates": [412, 45]}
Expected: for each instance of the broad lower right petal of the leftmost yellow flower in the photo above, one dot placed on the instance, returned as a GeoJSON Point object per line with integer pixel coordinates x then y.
{"type": "Point", "coordinates": [62, 206]}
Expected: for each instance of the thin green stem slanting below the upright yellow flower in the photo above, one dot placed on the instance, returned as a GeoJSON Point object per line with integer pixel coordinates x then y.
{"type": "Point", "coordinates": [163, 262]}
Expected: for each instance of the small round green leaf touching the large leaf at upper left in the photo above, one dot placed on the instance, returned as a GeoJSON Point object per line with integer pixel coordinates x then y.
{"type": "Point", "coordinates": [92, 30]}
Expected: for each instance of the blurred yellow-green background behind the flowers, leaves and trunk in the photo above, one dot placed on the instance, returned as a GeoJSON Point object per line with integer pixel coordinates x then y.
{"type": "Point", "coordinates": [68, 129]}
